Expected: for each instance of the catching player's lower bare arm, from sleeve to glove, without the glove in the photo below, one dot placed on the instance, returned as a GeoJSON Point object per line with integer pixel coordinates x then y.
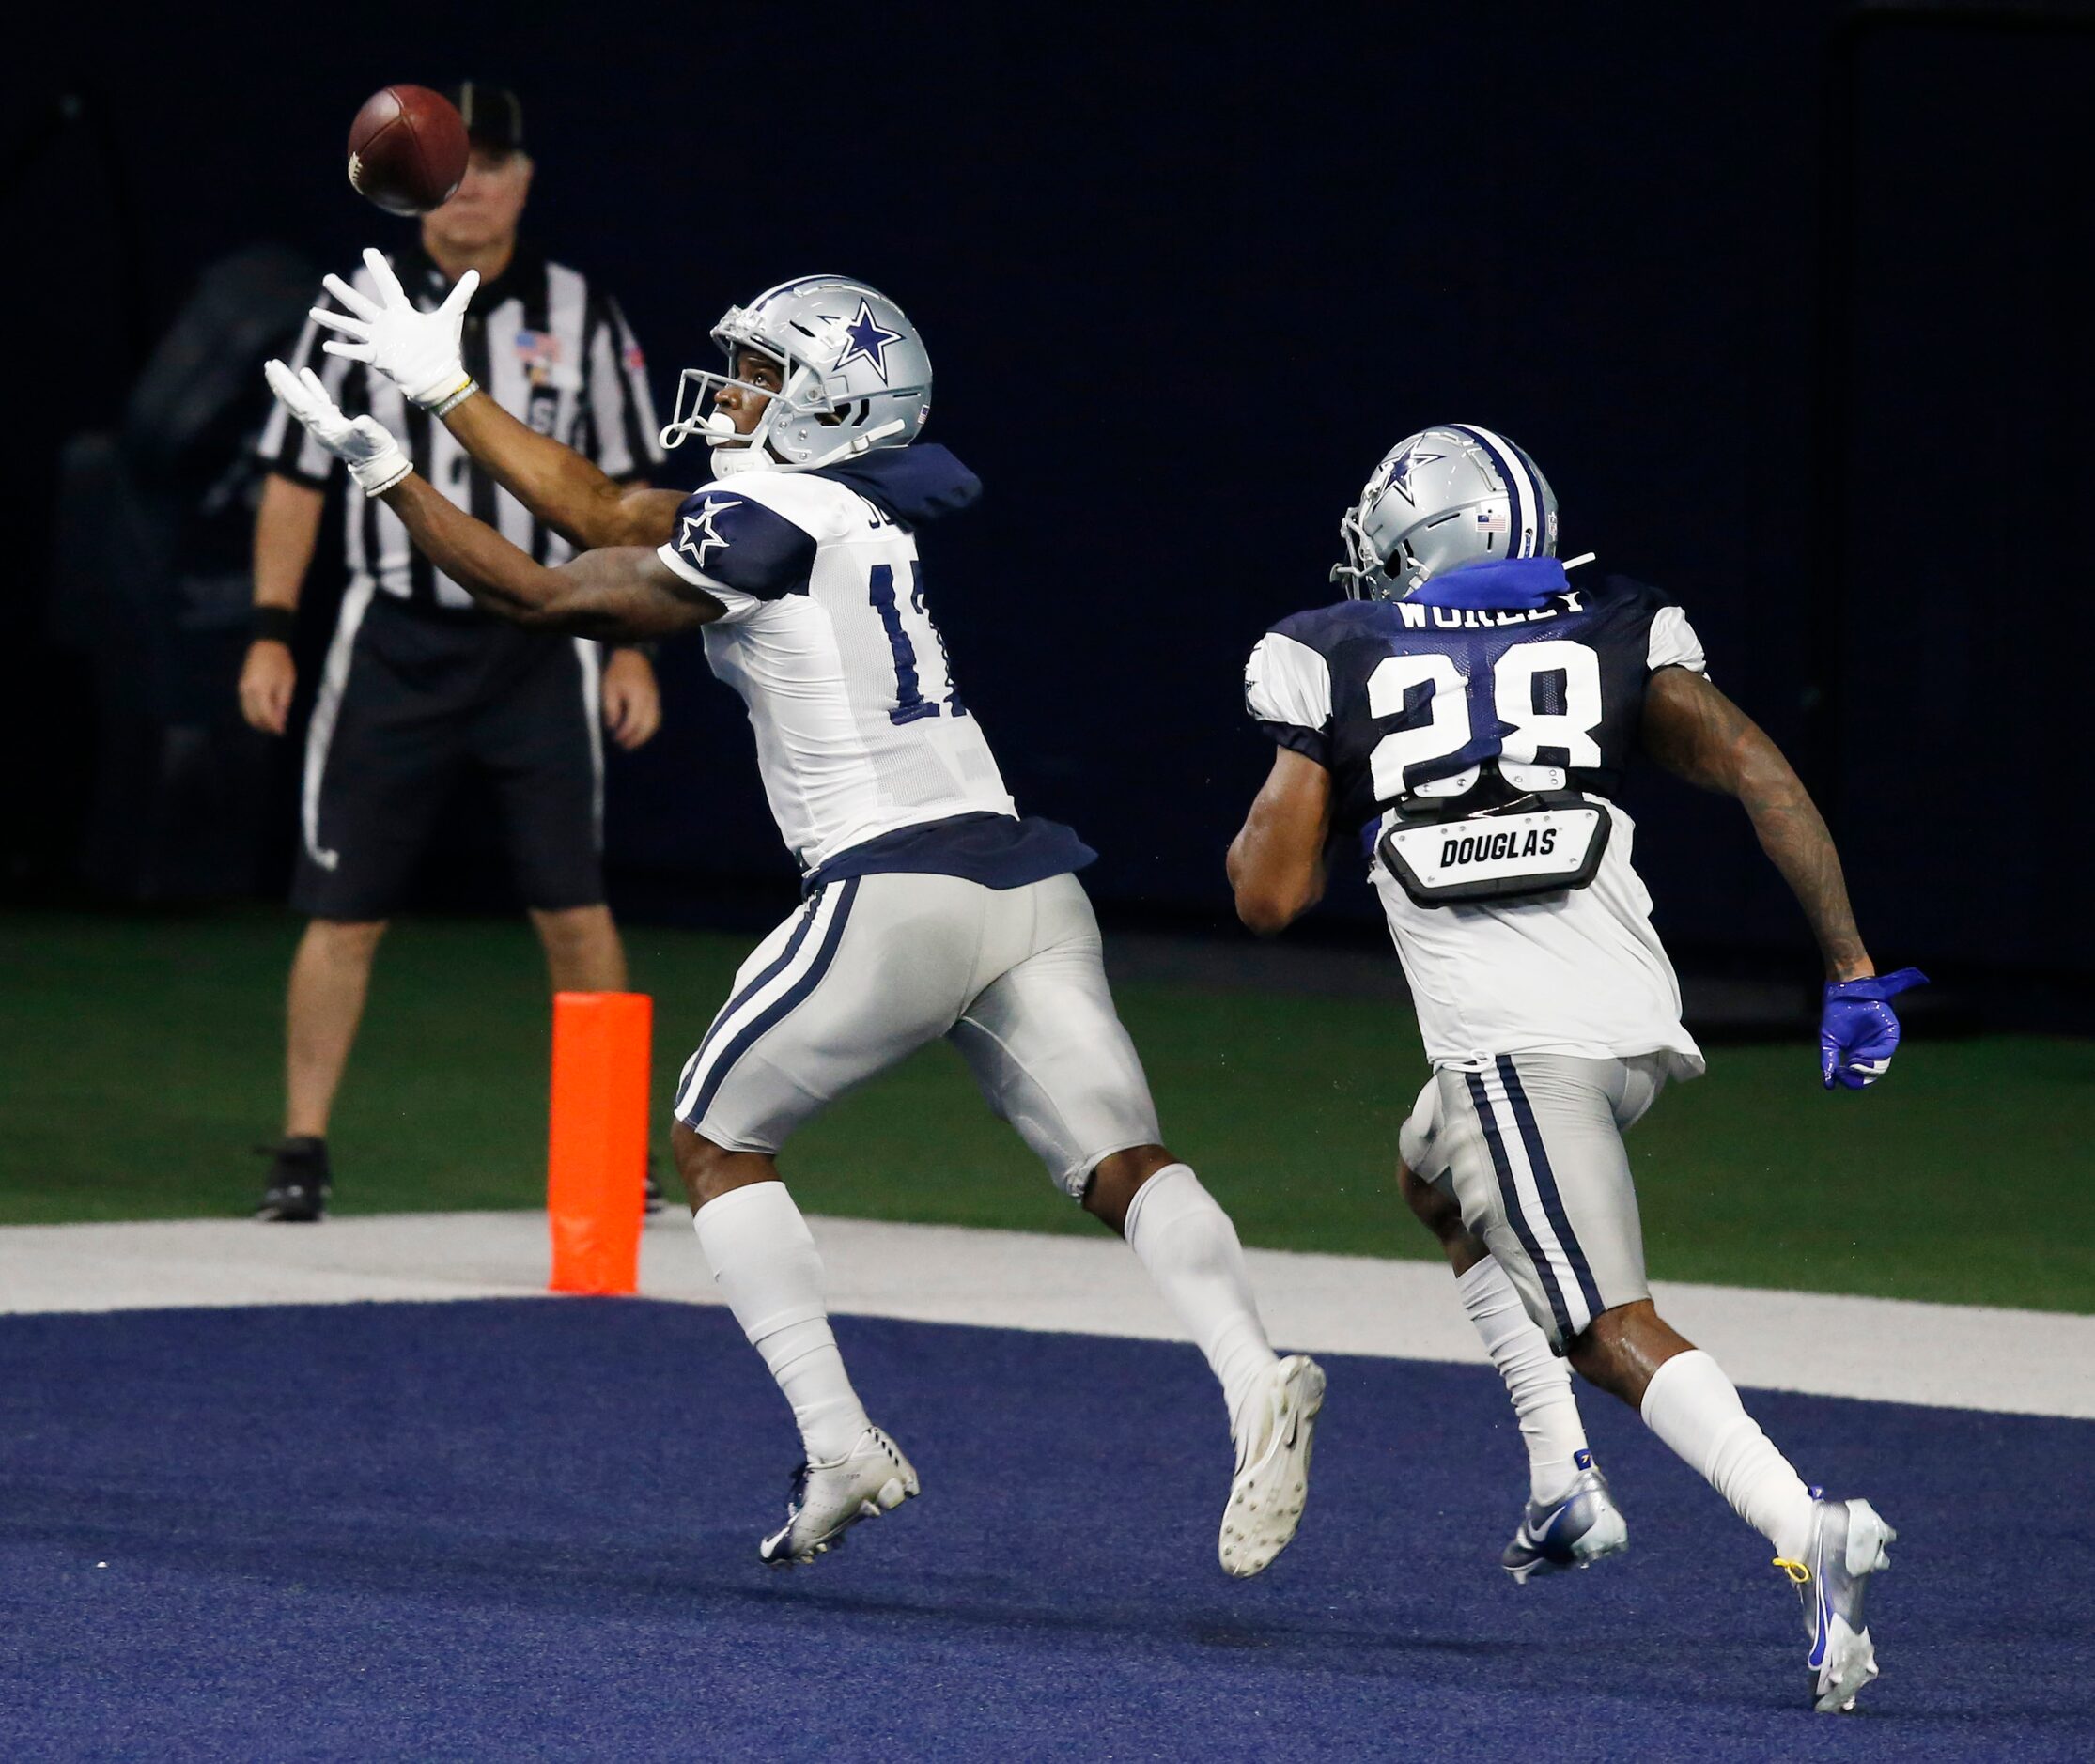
{"type": "Point", "coordinates": [619, 592]}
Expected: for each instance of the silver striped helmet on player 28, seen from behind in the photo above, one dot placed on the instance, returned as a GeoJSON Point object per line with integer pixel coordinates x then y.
{"type": "Point", "coordinates": [1440, 500]}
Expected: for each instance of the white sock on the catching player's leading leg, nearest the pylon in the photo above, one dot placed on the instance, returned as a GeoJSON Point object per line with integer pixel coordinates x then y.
{"type": "Point", "coordinates": [768, 1266]}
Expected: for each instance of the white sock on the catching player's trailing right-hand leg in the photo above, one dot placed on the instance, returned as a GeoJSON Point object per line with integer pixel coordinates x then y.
{"type": "Point", "coordinates": [1191, 1252]}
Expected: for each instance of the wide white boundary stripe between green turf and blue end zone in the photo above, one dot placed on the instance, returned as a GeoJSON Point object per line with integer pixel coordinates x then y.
{"type": "Point", "coordinates": [1893, 1350]}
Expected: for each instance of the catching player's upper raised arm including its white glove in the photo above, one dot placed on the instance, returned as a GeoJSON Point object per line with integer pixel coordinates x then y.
{"type": "Point", "coordinates": [420, 353]}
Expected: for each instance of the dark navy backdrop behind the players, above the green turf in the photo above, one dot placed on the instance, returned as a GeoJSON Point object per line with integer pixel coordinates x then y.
{"type": "Point", "coordinates": [1790, 303]}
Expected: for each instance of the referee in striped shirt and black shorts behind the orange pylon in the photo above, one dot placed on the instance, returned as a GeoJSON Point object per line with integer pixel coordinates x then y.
{"type": "Point", "coordinates": [422, 690]}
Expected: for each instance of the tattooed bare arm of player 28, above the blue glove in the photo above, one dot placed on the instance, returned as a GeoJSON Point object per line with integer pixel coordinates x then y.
{"type": "Point", "coordinates": [1702, 736]}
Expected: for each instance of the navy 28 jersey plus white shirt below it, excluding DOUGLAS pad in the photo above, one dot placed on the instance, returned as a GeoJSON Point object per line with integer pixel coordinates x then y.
{"type": "Point", "coordinates": [1392, 697]}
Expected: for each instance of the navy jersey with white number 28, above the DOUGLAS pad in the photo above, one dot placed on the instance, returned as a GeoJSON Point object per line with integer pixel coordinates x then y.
{"type": "Point", "coordinates": [1394, 697]}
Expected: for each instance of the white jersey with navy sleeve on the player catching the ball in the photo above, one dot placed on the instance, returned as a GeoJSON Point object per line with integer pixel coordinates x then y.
{"type": "Point", "coordinates": [826, 638]}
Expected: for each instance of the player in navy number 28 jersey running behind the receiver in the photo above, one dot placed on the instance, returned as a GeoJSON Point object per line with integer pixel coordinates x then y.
{"type": "Point", "coordinates": [1480, 711]}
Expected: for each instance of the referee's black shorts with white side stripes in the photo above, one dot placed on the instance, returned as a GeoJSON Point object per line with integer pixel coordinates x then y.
{"type": "Point", "coordinates": [416, 705]}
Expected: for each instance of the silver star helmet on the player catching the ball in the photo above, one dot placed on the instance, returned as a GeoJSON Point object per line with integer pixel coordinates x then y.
{"type": "Point", "coordinates": [856, 376]}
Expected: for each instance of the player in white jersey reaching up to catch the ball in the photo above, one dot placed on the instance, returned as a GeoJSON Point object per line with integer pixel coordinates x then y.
{"type": "Point", "coordinates": [931, 906]}
